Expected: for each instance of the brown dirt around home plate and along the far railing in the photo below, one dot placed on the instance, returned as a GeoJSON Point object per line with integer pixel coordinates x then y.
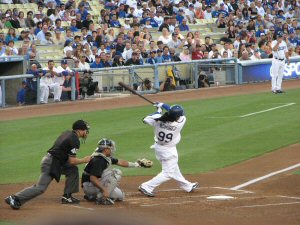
{"type": "Point", "coordinates": [274, 200]}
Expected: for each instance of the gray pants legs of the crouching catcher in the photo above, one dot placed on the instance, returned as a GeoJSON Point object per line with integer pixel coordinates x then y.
{"type": "Point", "coordinates": [110, 179]}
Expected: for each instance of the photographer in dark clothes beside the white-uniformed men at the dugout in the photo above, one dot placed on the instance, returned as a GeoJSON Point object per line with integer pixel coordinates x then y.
{"type": "Point", "coordinates": [87, 85]}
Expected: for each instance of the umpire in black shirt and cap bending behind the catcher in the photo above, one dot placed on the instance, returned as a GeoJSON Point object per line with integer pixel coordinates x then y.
{"type": "Point", "coordinates": [60, 159]}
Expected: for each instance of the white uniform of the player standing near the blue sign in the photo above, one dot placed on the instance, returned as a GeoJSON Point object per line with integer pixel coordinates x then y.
{"type": "Point", "coordinates": [278, 64]}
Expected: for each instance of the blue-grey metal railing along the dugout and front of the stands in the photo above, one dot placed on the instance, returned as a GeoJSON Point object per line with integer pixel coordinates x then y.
{"type": "Point", "coordinates": [224, 71]}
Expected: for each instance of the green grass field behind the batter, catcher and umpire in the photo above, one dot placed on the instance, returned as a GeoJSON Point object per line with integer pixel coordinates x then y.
{"type": "Point", "coordinates": [207, 143]}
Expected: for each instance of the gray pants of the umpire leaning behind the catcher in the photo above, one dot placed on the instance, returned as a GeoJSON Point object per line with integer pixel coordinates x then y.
{"type": "Point", "coordinates": [71, 184]}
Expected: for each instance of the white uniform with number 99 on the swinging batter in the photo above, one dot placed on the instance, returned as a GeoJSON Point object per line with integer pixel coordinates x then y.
{"type": "Point", "coordinates": [167, 136]}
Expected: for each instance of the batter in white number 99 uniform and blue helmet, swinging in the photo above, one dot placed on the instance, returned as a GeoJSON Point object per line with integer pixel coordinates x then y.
{"type": "Point", "coordinates": [167, 128]}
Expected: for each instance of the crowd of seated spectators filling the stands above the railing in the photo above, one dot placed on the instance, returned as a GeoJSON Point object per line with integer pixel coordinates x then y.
{"type": "Point", "coordinates": [119, 32]}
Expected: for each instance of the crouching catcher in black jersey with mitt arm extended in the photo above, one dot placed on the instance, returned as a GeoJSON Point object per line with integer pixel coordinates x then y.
{"type": "Point", "coordinates": [100, 180]}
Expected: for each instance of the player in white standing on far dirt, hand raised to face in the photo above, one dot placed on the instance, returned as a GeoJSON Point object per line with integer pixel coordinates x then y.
{"type": "Point", "coordinates": [280, 55]}
